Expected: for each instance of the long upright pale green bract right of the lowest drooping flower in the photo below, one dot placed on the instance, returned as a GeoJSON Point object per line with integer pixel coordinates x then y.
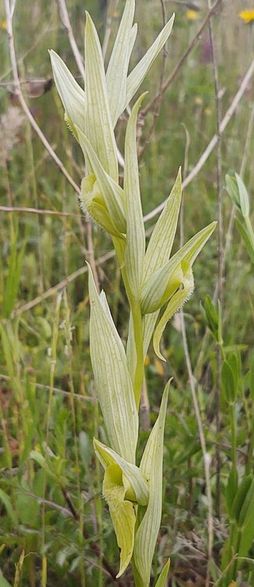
{"type": "Point", "coordinates": [151, 466]}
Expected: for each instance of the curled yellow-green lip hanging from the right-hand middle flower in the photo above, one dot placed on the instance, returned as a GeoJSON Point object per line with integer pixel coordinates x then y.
{"type": "Point", "coordinates": [174, 305]}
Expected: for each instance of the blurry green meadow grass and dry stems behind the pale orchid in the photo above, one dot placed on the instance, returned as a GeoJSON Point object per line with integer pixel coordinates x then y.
{"type": "Point", "coordinates": [55, 529]}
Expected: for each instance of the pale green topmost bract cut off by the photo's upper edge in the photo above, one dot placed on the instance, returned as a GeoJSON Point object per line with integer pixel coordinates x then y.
{"type": "Point", "coordinates": [117, 71]}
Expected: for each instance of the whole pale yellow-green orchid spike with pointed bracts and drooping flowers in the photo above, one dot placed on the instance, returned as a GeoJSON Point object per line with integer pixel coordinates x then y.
{"type": "Point", "coordinates": [156, 284]}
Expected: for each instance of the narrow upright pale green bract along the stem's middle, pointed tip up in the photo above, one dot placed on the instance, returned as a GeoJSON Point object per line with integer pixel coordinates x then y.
{"type": "Point", "coordinates": [135, 246]}
